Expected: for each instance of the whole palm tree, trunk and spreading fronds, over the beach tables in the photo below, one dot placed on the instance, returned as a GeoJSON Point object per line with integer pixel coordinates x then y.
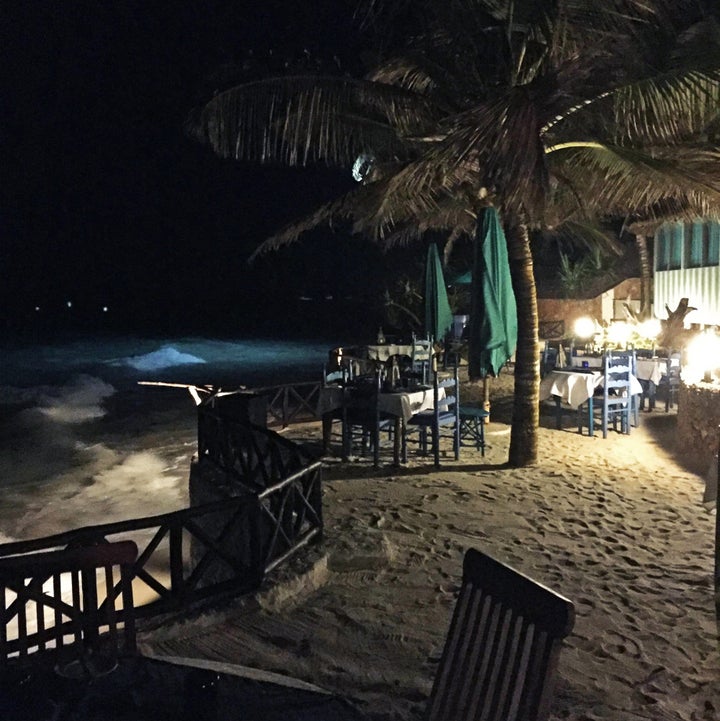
{"type": "Point", "coordinates": [554, 113]}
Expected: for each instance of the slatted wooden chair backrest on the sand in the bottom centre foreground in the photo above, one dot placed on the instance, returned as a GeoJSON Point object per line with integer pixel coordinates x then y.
{"type": "Point", "coordinates": [502, 649]}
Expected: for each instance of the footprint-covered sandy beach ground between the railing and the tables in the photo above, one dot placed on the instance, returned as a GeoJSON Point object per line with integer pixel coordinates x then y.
{"type": "Point", "coordinates": [616, 525]}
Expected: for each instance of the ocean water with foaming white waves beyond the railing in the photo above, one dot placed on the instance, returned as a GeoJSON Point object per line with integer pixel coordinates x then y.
{"type": "Point", "coordinates": [83, 442]}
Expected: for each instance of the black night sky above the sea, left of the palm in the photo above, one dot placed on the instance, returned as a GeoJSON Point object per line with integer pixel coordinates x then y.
{"type": "Point", "coordinates": [107, 202]}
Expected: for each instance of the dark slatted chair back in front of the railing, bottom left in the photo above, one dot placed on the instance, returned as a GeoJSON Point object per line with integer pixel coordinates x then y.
{"type": "Point", "coordinates": [66, 604]}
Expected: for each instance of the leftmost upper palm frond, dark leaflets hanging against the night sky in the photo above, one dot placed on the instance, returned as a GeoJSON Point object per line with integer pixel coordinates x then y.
{"type": "Point", "coordinates": [302, 120]}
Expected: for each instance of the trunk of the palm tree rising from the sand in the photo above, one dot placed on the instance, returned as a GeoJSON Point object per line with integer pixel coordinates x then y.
{"type": "Point", "coordinates": [526, 403]}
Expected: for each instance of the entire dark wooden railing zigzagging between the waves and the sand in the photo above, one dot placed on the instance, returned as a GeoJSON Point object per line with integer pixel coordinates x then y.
{"type": "Point", "coordinates": [270, 506]}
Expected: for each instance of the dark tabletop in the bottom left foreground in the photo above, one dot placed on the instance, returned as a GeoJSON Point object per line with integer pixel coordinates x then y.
{"type": "Point", "coordinates": [141, 688]}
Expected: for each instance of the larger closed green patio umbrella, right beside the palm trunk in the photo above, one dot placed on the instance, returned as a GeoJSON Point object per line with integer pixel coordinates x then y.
{"type": "Point", "coordinates": [493, 313]}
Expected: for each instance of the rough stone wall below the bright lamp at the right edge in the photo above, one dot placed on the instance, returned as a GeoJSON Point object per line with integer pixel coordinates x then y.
{"type": "Point", "coordinates": [697, 425]}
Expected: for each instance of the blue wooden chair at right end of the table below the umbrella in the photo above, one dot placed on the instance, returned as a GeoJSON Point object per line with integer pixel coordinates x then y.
{"type": "Point", "coordinates": [442, 420]}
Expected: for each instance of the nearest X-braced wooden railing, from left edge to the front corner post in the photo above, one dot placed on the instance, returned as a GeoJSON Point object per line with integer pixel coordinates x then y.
{"type": "Point", "coordinates": [207, 551]}
